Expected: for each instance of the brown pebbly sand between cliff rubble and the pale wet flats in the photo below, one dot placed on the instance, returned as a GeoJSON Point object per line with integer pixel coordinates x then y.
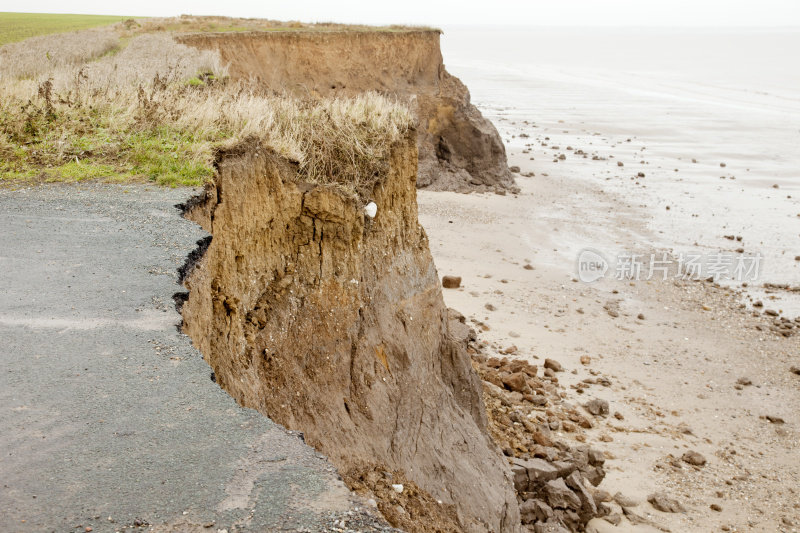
{"type": "Point", "coordinates": [674, 371]}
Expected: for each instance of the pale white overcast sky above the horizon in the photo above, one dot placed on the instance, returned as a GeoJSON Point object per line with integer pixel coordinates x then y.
{"type": "Point", "coordinates": [453, 12]}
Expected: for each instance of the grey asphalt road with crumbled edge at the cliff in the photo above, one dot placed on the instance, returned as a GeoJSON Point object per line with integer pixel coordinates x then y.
{"type": "Point", "coordinates": [109, 417]}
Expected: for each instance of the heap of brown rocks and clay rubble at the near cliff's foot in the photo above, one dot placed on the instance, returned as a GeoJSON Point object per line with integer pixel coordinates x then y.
{"type": "Point", "coordinates": [554, 481]}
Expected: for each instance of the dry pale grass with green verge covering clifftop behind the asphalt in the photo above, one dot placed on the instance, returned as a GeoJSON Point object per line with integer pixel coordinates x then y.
{"type": "Point", "coordinates": [158, 110]}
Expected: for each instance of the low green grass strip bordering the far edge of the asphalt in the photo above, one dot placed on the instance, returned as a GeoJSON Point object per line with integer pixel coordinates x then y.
{"type": "Point", "coordinates": [74, 145]}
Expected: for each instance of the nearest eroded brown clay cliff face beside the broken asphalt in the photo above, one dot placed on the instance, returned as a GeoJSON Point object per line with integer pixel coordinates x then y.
{"type": "Point", "coordinates": [334, 324]}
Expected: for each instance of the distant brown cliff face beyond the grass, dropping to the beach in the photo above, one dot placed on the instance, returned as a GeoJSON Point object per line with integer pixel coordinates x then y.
{"type": "Point", "coordinates": [458, 148]}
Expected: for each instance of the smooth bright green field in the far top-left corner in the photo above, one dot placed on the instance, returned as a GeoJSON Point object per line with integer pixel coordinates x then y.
{"type": "Point", "coordinates": [16, 27]}
